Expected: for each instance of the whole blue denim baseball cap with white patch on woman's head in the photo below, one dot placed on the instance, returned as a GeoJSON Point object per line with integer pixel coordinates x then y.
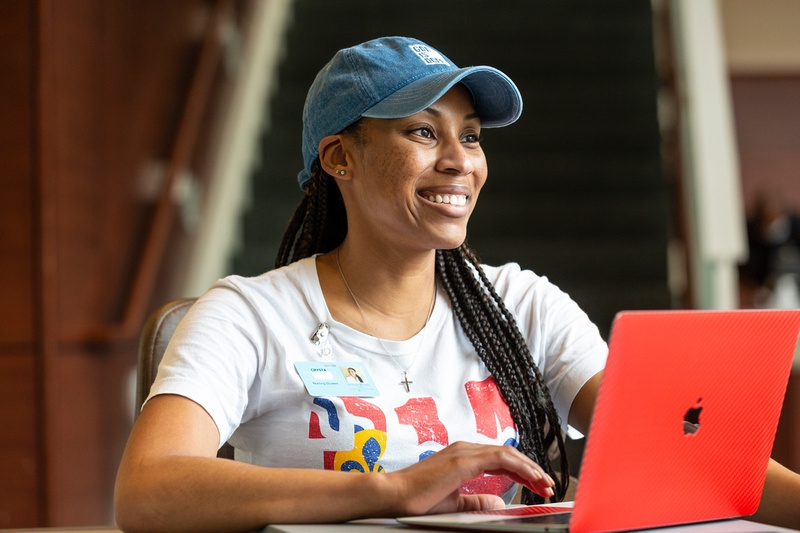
{"type": "Point", "coordinates": [395, 77]}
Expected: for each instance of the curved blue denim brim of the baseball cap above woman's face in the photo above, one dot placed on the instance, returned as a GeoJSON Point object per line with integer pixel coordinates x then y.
{"type": "Point", "coordinates": [497, 100]}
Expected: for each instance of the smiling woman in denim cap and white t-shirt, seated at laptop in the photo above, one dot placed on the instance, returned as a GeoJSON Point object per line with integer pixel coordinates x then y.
{"type": "Point", "coordinates": [475, 369]}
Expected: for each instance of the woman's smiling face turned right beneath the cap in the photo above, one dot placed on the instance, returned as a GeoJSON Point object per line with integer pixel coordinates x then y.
{"type": "Point", "coordinates": [415, 180]}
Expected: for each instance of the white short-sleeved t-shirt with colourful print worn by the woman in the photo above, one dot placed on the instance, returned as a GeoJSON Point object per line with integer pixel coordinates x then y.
{"type": "Point", "coordinates": [235, 352]}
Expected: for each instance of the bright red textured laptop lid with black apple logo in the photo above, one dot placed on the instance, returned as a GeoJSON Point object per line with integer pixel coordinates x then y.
{"type": "Point", "coordinates": [684, 421]}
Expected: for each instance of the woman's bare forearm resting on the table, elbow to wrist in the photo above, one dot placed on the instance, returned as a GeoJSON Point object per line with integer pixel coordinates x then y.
{"type": "Point", "coordinates": [209, 494]}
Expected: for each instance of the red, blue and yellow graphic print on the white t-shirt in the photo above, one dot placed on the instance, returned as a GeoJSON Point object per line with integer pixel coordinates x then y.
{"type": "Point", "coordinates": [491, 418]}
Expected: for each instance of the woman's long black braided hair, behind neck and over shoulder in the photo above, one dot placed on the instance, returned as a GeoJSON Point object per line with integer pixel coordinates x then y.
{"type": "Point", "coordinates": [319, 225]}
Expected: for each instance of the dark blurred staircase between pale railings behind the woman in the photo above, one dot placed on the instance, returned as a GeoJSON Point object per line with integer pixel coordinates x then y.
{"type": "Point", "coordinates": [575, 190]}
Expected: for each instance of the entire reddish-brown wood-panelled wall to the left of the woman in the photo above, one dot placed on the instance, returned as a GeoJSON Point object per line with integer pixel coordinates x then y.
{"type": "Point", "coordinates": [91, 94]}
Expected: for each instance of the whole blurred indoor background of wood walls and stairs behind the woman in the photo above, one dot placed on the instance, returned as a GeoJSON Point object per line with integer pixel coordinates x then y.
{"type": "Point", "coordinates": [148, 148]}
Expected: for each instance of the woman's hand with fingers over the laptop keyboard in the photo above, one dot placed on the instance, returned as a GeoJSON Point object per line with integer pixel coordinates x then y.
{"type": "Point", "coordinates": [432, 485]}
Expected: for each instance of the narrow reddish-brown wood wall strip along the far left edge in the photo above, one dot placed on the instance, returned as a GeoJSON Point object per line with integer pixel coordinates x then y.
{"type": "Point", "coordinates": [21, 504]}
